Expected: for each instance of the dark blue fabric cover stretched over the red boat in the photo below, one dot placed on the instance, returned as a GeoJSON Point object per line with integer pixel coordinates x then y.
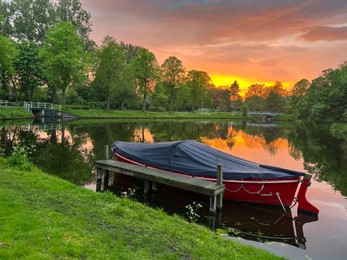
{"type": "Point", "coordinates": [194, 158]}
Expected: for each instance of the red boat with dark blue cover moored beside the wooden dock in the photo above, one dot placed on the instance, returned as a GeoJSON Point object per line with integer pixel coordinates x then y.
{"type": "Point", "coordinates": [244, 180]}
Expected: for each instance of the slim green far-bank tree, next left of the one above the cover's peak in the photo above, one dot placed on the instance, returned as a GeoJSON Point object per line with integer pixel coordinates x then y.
{"type": "Point", "coordinates": [146, 70]}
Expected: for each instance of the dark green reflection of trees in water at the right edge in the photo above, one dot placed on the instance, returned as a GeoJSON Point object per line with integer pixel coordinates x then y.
{"type": "Point", "coordinates": [324, 154]}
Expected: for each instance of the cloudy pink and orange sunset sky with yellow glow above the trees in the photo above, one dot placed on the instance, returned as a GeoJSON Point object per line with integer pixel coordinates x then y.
{"type": "Point", "coordinates": [251, 41]}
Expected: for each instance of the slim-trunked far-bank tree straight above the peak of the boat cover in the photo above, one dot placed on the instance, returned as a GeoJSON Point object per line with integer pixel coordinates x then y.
{"type": "Point", "coordinates": [173, 76]}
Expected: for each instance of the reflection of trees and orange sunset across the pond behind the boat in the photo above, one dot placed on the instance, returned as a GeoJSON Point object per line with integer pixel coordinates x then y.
{"type": "Point", "coordinates": [62, 149]}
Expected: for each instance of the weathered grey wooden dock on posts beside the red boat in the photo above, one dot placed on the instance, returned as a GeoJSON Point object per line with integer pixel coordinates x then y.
{"type": "Point", "coordinates": [151, 177]}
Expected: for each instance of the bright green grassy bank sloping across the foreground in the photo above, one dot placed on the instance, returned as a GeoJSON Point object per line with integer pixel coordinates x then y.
{"type": "Point", "coordinates": [44, 217]}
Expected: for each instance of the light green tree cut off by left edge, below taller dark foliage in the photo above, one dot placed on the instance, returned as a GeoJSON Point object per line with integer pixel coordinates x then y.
{"type": "Point", "coordinates": [8, 54]}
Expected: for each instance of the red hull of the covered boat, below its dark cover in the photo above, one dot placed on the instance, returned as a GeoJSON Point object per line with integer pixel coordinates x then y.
{"type": "Point", "coordinates": [285, 193]}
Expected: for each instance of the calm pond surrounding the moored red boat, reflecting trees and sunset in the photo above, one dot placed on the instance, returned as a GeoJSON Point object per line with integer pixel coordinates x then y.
{"type": "Point", "coordinates": [68, 150]}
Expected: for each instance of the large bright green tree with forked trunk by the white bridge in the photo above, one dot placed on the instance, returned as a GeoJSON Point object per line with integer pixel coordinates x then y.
{"type": "Point", "coordinates": [63, 58]}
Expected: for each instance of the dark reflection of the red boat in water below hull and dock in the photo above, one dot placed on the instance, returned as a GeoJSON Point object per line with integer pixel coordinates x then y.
{"type": "Point", "coordinates": [260, 223]}
